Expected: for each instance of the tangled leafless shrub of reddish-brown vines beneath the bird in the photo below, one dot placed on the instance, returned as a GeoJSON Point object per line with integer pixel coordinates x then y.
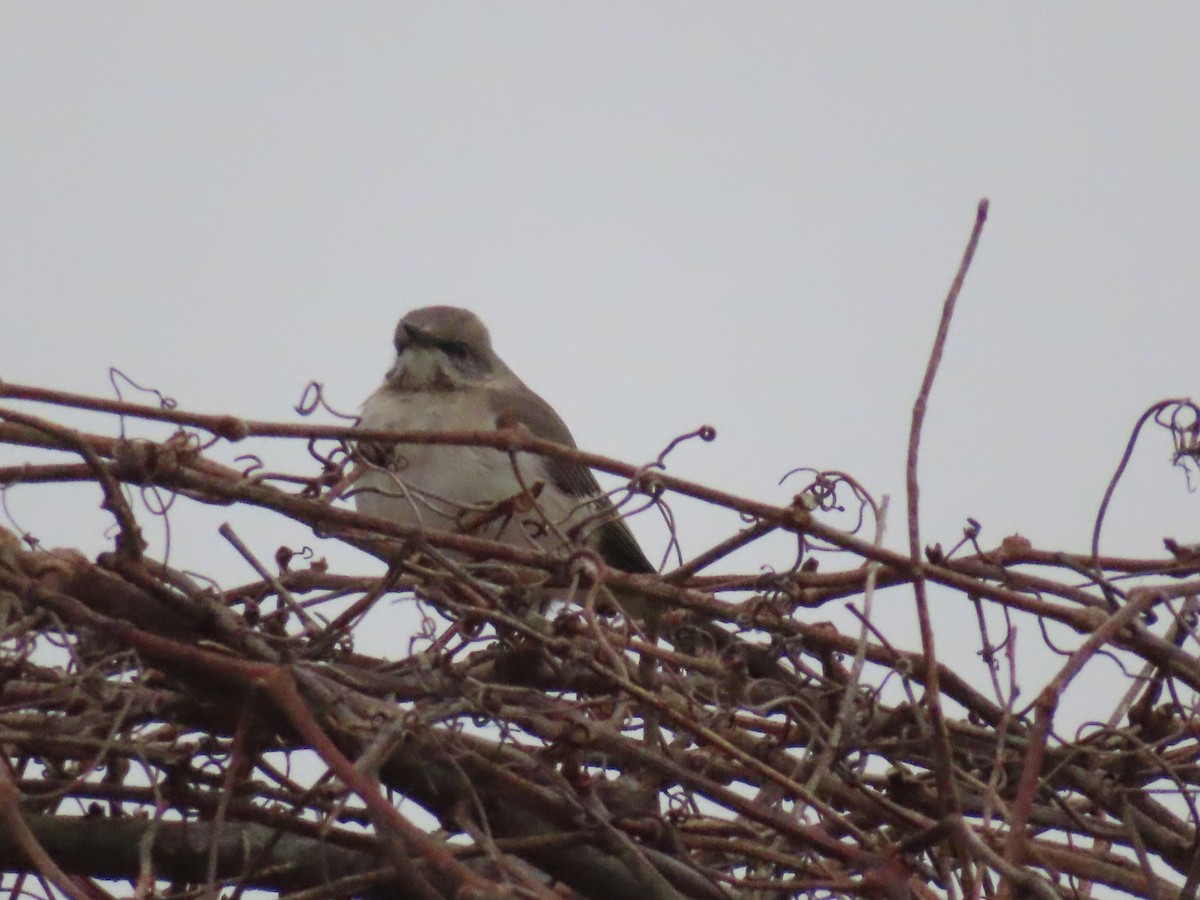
{"type": "Point", "coordinates": [160, 730]}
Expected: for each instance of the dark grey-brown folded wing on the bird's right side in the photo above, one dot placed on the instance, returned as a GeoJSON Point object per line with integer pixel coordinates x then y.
{"type": "Point", "coordinates": [614, 541]}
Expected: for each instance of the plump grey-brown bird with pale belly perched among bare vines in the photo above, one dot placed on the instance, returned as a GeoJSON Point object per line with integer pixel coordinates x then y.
{"type": "Point", "coordinates": [448, 377]}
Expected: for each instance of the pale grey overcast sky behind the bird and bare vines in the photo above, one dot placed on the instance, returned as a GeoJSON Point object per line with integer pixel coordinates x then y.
{"type": "Point", "coordinates": [669, 215]}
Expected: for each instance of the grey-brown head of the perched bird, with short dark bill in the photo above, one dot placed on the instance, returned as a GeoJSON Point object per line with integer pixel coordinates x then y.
{"type": "Point", "coordinates": [443, 349]}
